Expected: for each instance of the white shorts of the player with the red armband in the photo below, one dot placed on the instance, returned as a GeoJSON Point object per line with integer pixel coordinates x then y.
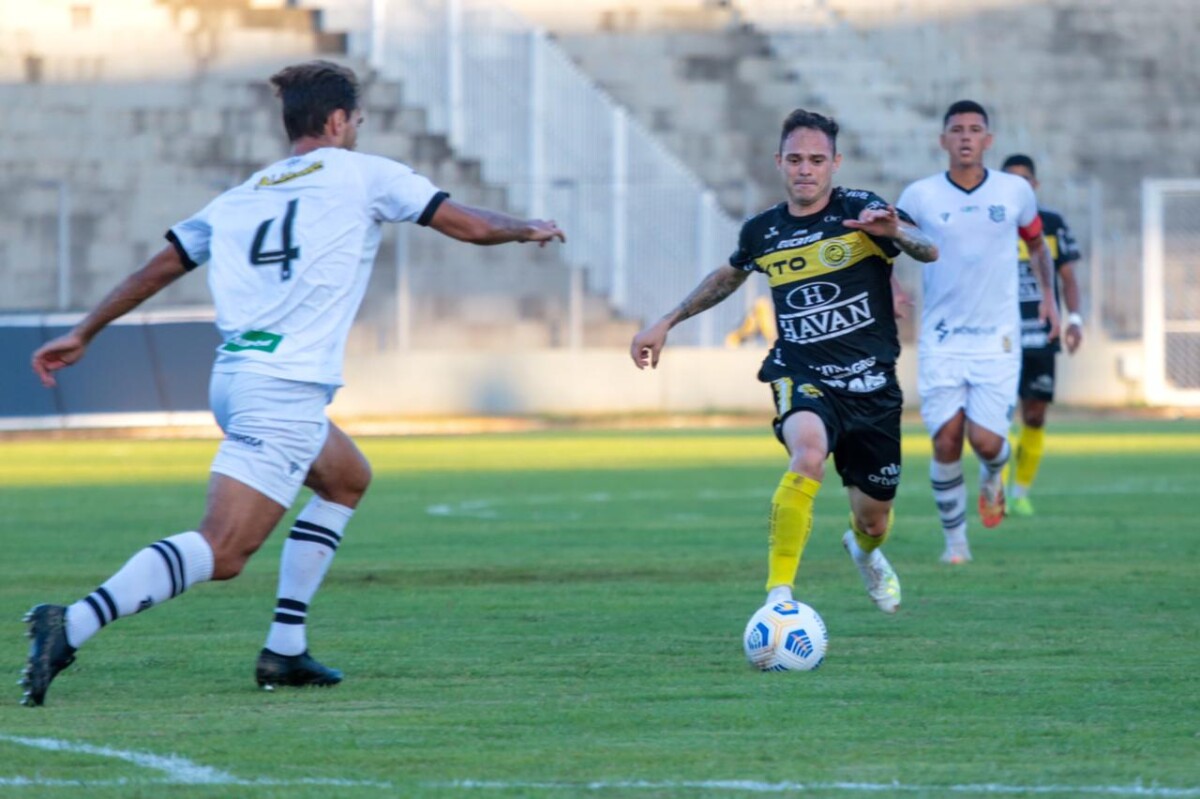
{"type": "Point", "coordinates": [983, 387]}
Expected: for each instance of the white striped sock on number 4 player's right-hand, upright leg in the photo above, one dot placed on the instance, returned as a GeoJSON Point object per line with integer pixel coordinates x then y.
{"type": "Point", "coordinates": [307, 557]}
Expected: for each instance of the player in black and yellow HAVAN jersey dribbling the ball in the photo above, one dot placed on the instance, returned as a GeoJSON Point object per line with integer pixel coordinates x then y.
{"type": "Point", "coordinates": [827, 255]}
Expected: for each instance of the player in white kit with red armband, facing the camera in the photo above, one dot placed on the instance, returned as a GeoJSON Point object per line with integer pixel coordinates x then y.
{"type": "Point", "coordinates": [970, 340]}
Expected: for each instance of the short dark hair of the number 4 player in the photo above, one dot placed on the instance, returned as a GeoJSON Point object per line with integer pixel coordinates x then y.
{"type": "Point", "coordinates": [311, 92]}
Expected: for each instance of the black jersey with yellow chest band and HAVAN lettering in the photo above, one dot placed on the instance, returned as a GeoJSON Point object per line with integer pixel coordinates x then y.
{"type": "Point", "coordinates": [832, 287]}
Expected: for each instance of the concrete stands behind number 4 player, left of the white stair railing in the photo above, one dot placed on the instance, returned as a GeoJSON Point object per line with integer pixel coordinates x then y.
{"type": "Point", "coordinates": [142, 151]}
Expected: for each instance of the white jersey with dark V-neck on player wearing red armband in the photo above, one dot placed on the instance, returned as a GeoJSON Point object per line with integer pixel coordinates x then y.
{"type": "Point", "coordinates": [971, 299]}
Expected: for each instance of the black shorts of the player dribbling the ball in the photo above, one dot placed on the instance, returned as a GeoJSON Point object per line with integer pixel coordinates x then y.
{"type": "Point", "coordinates": [863, 431]}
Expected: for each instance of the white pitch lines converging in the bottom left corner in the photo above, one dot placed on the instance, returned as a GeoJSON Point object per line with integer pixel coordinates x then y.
{"type": "Point", "coordinates": [175, 770]}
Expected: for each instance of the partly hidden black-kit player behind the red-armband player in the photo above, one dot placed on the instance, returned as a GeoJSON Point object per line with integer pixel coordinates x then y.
{"type": "Point", "coordinates": [1039, 351]}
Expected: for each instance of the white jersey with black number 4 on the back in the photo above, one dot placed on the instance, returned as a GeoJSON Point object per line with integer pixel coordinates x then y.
{"type": "Point", "coordinates": [290, 255]}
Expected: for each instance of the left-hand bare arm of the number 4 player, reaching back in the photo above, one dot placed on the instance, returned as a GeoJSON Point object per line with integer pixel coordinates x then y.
{"type": "Point", "coordinates": [160, 272]}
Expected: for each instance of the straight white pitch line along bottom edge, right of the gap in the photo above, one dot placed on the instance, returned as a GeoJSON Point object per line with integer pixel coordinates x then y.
{"type": "Point", "coordinates": [748, 786]}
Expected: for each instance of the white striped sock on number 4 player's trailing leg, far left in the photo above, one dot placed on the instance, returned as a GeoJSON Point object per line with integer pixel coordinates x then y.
{"type": "Point", "coordinates": [161, 572]}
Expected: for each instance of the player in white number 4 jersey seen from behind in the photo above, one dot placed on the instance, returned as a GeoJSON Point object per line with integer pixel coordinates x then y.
{"type": "Point", "coordinates": [289, 256]}
